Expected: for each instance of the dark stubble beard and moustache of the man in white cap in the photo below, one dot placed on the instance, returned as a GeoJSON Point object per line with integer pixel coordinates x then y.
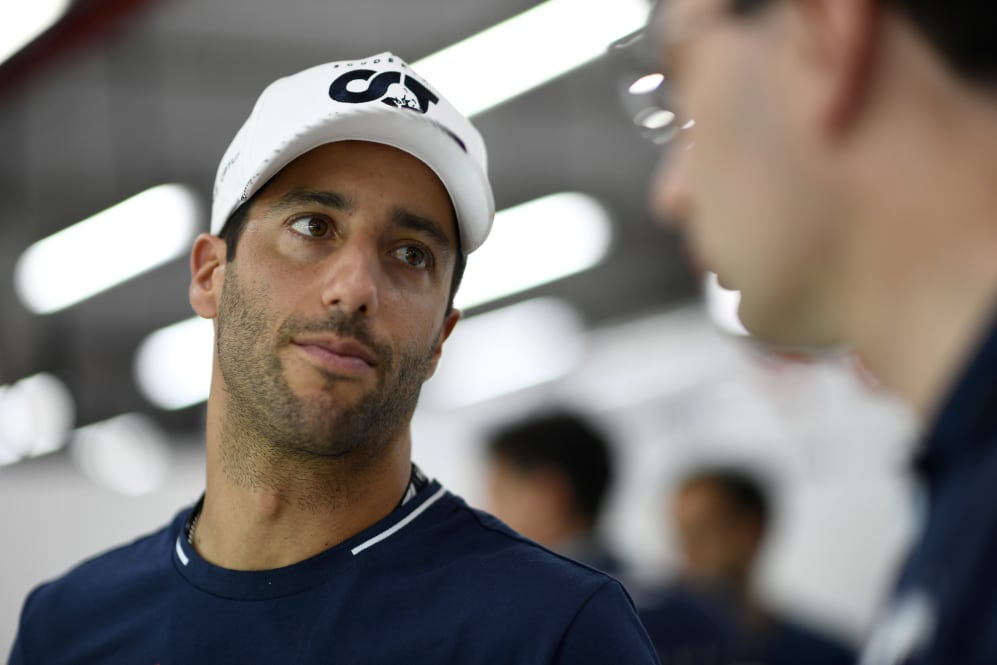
{"type": "Point", "coordinates": [266, 420]}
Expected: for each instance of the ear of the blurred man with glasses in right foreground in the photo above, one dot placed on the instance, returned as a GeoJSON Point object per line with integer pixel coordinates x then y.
{"type": "Point", "coordinates": [840, 44]}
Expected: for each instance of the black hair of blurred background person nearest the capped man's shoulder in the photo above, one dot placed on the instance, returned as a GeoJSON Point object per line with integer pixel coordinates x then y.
{"type": "Point", "coordinates": [563, 441]}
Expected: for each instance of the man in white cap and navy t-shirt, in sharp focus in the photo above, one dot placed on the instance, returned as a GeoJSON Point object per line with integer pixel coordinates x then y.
{"type": "Point", "coordinates": [345, 207]}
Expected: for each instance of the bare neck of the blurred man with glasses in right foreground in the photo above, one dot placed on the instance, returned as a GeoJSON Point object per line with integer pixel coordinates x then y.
{"type": "Point", "coordinates": [924, 284]}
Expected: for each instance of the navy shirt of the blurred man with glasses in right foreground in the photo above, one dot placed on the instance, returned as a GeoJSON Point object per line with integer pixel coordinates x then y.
{"type": "Point", "coordinates": [944, 610]}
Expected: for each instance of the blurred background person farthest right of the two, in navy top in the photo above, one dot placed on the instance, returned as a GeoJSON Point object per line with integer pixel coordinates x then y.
{"type": "Point", "coordinates": [721, 517]}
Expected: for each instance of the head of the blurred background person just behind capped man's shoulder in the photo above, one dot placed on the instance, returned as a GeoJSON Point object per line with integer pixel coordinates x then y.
{"type": "Point", "coordinates": [549, 474]}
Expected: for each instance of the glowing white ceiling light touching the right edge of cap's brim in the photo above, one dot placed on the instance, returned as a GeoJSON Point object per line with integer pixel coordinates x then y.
{"type": "Point", "coordinates": [535, 243]}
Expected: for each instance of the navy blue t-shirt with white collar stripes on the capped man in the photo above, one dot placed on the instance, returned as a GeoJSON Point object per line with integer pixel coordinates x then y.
{"type": "Point", "coordinates": [434, 582]}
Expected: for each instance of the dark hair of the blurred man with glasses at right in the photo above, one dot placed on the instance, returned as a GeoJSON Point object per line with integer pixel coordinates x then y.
{"type": "Point", "coordinates": [961, 32]}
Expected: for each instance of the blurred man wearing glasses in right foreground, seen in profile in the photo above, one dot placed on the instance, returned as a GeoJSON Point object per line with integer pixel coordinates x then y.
{"type": "Point", "coordinates": [835, 168]}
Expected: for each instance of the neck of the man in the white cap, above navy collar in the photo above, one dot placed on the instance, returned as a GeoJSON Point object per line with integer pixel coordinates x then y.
{"type": "Point", "coordinates": [268, 512]}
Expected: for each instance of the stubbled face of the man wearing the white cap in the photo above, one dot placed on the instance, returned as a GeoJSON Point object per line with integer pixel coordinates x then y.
{"type": "Point", "coordinates": [333, 311]}
